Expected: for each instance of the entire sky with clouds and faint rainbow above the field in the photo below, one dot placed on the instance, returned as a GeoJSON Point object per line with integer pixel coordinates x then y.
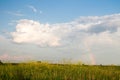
{"type": "Point", "coordinates": [86, 31]}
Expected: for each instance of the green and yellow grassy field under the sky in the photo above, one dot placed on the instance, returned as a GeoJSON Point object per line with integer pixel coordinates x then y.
{"type": "Point", "coordinates": [45, 71]}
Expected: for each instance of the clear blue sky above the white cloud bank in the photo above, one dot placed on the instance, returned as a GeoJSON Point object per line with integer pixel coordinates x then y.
{"type": "Point", "coordinates": [56, 10]}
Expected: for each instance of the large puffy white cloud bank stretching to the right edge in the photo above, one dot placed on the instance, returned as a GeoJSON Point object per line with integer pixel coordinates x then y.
{"type": "Point", "coordinates": [92, 29]}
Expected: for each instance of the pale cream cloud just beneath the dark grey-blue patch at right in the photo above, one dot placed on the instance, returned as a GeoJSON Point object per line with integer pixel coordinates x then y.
{"type": "Point", "coordinates": [104, 38]}
